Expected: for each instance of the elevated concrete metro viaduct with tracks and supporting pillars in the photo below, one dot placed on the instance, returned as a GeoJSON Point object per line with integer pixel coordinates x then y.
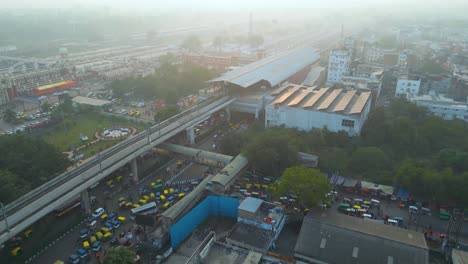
{"type": "Point", "coordinates": [31, 207]}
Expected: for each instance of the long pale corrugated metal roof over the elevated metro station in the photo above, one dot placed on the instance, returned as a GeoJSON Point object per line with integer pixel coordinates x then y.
{"type": "Point", "coordinates": [273, 69]}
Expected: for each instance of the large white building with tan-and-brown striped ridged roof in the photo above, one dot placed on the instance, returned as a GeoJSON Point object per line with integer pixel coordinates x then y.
{"type": "Point", "coordinates": [305, 108]}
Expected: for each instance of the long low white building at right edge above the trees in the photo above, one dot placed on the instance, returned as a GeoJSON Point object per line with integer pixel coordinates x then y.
{"type": "Point", "coordinates": [441, 106]}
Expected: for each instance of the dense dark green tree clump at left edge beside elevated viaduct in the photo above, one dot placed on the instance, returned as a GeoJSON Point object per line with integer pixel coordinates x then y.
{"type": "Point", "coordinates": [27, 164]}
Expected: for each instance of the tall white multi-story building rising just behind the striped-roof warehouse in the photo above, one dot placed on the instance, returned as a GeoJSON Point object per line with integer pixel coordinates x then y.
{"type": "Point", "coordinates": [338, 64]}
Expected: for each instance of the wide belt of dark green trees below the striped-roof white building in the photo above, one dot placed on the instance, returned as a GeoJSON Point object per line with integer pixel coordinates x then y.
{"type": "Point", "coordinates": [401, 145]}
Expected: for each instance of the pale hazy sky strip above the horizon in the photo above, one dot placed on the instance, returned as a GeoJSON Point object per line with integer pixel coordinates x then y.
{"type": "Point", "coordinates": [234, 5]}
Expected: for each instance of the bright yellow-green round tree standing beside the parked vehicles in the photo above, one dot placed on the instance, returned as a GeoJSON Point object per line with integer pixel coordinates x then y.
{"type": "Point", "coordinates": [309, 185]}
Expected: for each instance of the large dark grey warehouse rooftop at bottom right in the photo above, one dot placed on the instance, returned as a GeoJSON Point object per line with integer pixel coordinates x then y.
{"type": "Point", "coordinates": [323, 233]}
